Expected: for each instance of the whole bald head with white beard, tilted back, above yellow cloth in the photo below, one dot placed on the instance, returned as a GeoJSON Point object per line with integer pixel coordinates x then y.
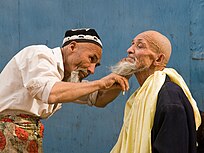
{"type": "Point", "coordinates": [153, 43]}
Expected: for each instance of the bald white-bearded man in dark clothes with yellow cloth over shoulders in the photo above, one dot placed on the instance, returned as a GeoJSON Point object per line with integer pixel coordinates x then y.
{"type": "Point", "coordinates": [161, 116]}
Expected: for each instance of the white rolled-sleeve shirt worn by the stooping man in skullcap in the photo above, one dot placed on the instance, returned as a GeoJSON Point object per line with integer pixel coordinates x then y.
{"type": "Point", "coordinates": [28, 78]}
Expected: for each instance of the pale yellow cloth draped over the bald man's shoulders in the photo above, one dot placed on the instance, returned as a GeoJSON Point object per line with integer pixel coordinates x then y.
{"type": "Point", "coordinates": [135, 135]}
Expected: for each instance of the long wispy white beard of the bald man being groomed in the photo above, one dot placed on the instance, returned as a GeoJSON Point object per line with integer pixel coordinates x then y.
{"type": "Point", "coordinates": [126, 68]}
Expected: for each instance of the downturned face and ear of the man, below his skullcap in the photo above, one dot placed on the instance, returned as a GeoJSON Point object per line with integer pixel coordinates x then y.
{"type": "Point", "coordinates": [84, 58]}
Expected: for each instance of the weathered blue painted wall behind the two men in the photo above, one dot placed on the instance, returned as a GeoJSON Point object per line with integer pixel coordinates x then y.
{"type": "Point", "coordinates": [82, 129]}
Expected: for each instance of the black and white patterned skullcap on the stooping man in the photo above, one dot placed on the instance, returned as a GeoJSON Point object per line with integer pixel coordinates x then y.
{"type": "Point", "coordinates": [82, 35]}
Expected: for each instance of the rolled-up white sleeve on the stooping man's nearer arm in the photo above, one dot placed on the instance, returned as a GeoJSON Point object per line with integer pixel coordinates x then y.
{"type": "Point", "coordinates": [39, 73]}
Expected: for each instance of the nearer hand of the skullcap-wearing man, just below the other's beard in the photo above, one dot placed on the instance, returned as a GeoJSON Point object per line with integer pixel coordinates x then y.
{"type": "Point", "coordinates": [114, 80]}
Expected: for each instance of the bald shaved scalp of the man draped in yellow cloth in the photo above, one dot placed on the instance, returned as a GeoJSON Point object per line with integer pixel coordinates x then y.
{"type": "Point", "coordinates": [158, 42]}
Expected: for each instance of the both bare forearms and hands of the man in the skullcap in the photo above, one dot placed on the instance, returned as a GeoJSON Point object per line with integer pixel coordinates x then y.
{"type": "Point", "coordinates": [69, 92]}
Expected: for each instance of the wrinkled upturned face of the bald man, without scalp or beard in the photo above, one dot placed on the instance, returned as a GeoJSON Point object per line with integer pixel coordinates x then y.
{"type": "Point", "coordinates": [141, 53]}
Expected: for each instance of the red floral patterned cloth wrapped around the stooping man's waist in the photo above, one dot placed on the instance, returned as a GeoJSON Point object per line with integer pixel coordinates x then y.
{"type": "Point", "coordinates": [20, 133]}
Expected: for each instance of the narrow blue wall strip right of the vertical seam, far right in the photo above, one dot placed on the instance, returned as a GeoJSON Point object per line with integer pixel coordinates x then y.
{"type": "Point", "coordinates": [197, 51]}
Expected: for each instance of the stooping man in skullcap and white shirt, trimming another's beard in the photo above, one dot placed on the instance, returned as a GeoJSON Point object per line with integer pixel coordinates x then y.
{"type": "Point", "coordinates": [37, 80]}
